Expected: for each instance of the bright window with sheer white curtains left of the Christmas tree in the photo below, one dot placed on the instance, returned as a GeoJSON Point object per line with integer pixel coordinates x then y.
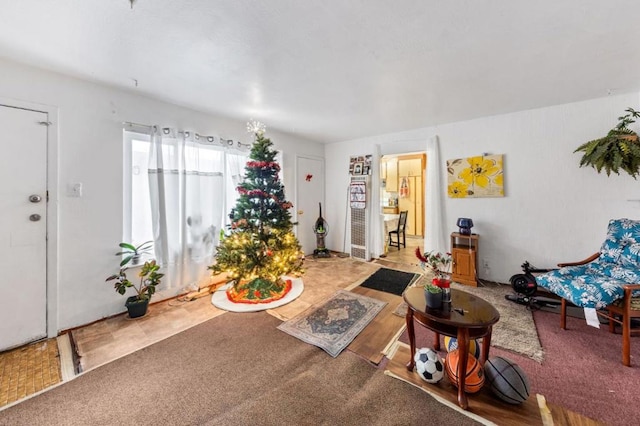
{"type": "Point", "coordinates": [198, 190]}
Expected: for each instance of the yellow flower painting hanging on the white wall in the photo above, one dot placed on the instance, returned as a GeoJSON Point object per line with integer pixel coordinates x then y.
{"type": "Point", "coordinates": [472, 177]}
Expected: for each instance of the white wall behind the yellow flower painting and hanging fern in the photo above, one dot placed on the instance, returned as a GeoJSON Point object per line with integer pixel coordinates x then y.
{"type": "Point", "coordinates": [553, 211]}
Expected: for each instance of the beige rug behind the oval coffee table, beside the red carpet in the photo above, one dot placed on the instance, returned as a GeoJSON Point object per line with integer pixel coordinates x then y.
{"type": "Point", "coordinates": [515, 331]}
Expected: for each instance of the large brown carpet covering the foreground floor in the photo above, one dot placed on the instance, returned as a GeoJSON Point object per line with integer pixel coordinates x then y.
{"type": "Point", "coordinates": [236, 369]}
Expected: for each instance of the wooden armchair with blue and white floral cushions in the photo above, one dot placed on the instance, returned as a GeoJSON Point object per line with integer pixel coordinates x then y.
{"type": "Point", "coordinates": [608, 281]}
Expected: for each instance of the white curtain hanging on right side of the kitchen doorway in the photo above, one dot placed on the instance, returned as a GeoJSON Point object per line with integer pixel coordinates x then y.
{"type": "Point", "coordinates": [435, 233]}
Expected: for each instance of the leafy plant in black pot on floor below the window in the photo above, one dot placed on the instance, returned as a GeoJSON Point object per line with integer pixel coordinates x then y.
{"type": "Point", "coordinates": [149, 279]}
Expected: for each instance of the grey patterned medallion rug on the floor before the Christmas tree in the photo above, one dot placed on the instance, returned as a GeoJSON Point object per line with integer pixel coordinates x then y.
{"type": "Point", "coordinates": [334, 324]}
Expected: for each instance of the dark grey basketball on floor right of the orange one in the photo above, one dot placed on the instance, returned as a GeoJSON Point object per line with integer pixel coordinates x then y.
{"type": "Point", "coordinates": [507, 380]}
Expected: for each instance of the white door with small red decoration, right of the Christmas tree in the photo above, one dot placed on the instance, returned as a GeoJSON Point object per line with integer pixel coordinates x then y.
{"type": "Point", "coordinates": [309, 192]}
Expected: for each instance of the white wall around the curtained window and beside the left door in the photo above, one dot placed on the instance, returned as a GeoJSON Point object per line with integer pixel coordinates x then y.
{"type": "Point", "coordinates": [90, 151]}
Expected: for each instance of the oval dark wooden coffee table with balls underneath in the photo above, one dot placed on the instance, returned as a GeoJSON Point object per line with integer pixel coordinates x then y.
{"type": "Point", "coordinates": [468, 317]}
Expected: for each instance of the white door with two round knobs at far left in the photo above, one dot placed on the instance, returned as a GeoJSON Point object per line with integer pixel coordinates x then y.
{"type": "Point", "coordinates": [23, 226]}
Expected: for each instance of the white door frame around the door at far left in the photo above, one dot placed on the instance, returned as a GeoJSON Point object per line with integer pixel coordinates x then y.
{"type": "Point", "coordinates": [51, 266]}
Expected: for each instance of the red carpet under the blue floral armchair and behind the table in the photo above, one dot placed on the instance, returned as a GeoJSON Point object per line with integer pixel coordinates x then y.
{"type": "Point", "coordinates": [582, 370]}
